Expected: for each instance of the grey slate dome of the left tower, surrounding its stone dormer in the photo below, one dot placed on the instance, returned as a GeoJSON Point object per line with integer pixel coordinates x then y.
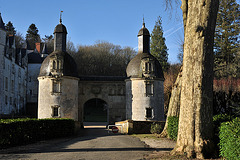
{"type": "Point", "coordinates": [69, 65]}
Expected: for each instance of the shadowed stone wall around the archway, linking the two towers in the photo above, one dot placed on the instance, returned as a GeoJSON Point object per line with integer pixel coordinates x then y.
{"type": "Point", "coordinates": [112, 92]}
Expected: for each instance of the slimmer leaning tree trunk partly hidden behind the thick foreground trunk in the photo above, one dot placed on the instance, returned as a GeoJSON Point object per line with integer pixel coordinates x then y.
{"type": "Point", "coordinates": [174, 104]}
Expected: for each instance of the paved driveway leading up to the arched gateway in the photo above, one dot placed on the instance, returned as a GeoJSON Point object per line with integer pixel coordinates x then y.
{"type": "Point", "coordinates": [94, 143]}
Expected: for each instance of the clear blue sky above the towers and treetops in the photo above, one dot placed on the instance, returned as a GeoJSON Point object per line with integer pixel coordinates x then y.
{"type": "Point", "coordinates": [88, 21]}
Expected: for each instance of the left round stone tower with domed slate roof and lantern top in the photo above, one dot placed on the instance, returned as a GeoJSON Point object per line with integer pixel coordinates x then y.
{"type": "Point", "coordinates": [58, 81]}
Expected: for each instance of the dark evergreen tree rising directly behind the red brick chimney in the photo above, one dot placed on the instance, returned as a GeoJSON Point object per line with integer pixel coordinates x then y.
{"type": "Point", "coordinates": [32, 36]}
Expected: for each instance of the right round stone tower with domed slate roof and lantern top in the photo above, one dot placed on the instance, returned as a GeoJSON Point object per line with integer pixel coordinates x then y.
{"type": "Point", "coordinates": [144, 86]}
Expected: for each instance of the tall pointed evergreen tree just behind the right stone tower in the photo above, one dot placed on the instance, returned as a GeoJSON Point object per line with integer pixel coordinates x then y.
{"type": "Point", "coordinates": [158, 46]}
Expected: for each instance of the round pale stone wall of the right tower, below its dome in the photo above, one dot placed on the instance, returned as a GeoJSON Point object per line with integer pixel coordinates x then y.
{"type": "Point", "coordinates": [138, 100]}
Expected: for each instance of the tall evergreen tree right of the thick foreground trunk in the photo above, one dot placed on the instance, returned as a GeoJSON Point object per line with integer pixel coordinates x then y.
{"type": "Point", "coordinates": [226, 47]}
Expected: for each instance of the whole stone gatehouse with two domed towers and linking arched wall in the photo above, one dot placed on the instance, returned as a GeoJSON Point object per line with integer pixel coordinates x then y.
{"type": "Point", "coordinates": [65, 94]}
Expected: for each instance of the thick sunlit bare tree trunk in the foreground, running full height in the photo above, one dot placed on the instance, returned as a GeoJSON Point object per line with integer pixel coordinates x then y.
{"type": "Point", "coordinates": [195, 131]}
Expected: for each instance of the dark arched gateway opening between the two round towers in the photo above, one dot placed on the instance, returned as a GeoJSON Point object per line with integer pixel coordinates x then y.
{"type": "Point", "coordinates": [95, 110]}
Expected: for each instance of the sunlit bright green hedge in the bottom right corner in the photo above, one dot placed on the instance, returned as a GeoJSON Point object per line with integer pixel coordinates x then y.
{"type": "Point", "coordinates": [230, 139]}
